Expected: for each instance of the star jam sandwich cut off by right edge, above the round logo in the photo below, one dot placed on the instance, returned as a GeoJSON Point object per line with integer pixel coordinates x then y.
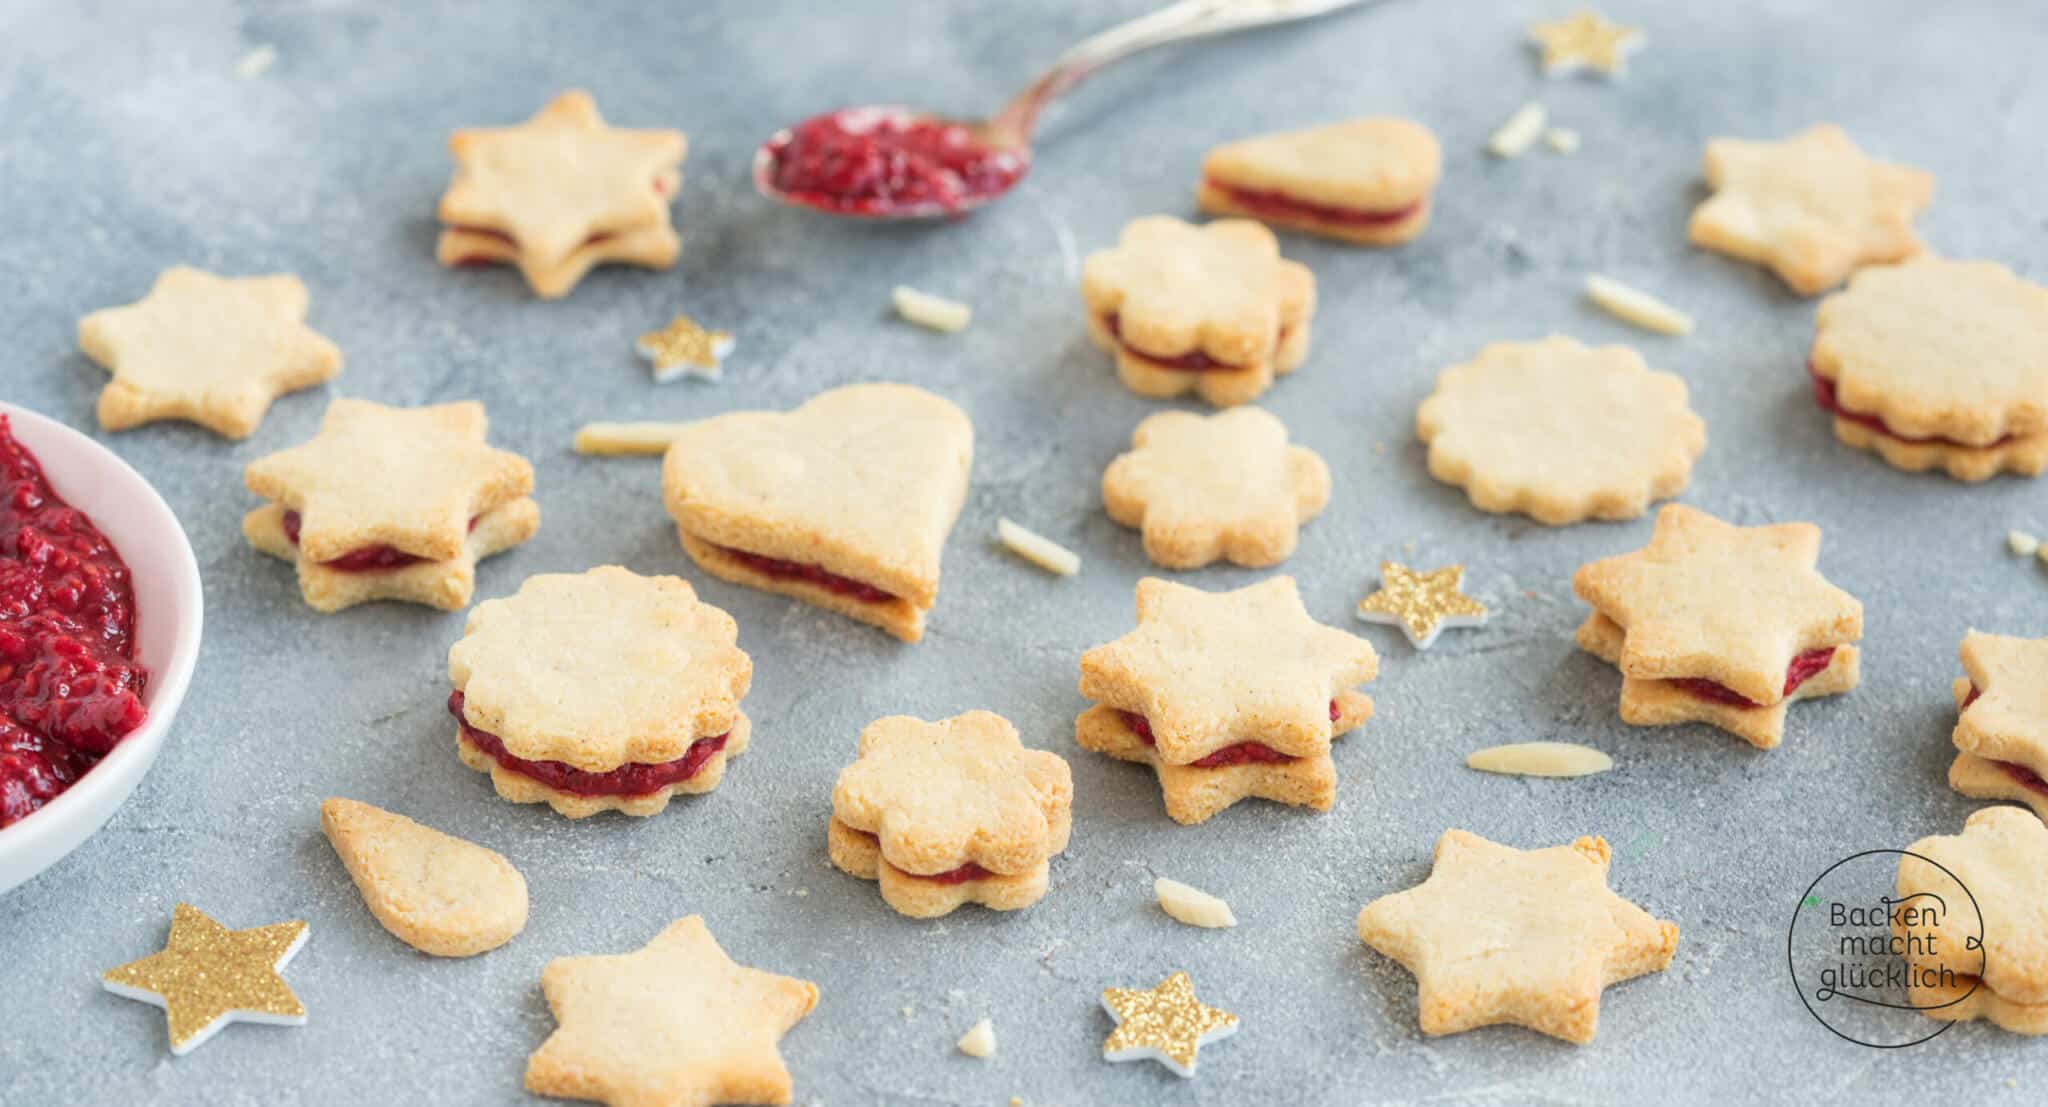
{"type": "Point", "coordinates": [2002, 725]}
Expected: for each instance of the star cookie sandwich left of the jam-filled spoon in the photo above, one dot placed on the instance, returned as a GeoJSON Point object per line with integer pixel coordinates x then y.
{"type": "Point", "coordinates": [562, 193]}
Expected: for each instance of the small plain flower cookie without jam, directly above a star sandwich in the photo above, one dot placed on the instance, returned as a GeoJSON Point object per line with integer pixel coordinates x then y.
{"type": "Point", "coordinates": [1226, 486]}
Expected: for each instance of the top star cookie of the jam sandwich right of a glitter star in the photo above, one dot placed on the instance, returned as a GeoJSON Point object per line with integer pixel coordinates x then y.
{"type": "Point", "coordinates": [1711, 601]}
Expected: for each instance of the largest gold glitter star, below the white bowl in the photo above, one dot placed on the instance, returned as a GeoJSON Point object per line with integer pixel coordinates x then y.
{"type": "Point", "coordinates": [210, 977]}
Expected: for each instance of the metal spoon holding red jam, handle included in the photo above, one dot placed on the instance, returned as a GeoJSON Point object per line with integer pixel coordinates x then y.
{"type": "Point", "coordinates": [923, 165]}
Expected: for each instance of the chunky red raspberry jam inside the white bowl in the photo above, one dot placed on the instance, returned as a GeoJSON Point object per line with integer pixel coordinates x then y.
{"type": "Point", "coordinates": [71, 687]}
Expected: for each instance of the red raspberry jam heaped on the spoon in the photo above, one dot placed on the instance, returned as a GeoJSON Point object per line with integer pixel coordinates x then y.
{"type": "Point", "coordinates": [888, 163]}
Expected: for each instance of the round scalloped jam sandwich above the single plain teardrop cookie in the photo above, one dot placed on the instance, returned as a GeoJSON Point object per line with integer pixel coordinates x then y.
{"type": "Point", "coordinates": [601, 691]}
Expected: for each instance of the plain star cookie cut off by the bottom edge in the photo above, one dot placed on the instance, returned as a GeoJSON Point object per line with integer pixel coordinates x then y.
{"type": "Point", "coordinates": [675, 1024]}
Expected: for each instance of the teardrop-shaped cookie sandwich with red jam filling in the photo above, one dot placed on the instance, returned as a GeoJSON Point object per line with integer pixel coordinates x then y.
{"type": "Point", "coordinates": [1363, 181]}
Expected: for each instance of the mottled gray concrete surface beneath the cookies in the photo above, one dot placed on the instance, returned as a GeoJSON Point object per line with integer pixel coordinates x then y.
{"type": "Point", "coordinates": [130, 146]}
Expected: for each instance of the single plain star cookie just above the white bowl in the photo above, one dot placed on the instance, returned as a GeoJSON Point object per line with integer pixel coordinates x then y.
{"type": "Point", "coordinates": [208, 349]}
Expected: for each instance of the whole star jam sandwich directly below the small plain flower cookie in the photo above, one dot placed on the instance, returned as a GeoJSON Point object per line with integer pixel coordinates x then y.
{"type": "Point", "coordinates": [1228, 697]}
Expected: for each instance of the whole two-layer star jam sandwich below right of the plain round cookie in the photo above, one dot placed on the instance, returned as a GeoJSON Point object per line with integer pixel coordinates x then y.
{"type": "Point", "coordinates": [1721, 625]}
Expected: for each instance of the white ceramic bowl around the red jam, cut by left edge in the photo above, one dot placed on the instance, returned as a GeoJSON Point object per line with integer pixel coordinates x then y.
{"type": "Point", "coordinates": [167, 633]}
